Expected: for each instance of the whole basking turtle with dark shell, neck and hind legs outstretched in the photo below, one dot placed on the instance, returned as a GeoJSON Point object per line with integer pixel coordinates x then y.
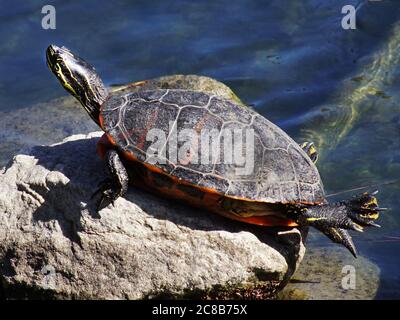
{"type": "Point", "coordinates": [248, 170]}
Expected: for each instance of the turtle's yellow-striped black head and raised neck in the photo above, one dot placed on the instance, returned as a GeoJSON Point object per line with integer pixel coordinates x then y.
{"type": "Point", "coordinates": [79, 78]}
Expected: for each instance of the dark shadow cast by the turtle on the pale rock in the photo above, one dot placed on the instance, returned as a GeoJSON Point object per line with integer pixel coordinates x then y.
{"type": "Point", "coordinates": [66, 199]}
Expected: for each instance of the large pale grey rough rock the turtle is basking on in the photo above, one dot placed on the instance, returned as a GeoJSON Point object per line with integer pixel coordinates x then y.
{"type": "Point", "coordinates": [53, 244]}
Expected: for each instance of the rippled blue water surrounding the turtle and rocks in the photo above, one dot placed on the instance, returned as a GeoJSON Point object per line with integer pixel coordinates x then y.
{"type": "Point", "coordinates": [291, 59]}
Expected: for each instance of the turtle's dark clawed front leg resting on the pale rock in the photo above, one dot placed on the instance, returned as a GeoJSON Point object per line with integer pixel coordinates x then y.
{"type": "Point", "coordinates": [116, 184]}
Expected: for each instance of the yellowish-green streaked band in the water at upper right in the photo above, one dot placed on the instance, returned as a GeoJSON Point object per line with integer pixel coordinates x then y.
{"type": "Point", "coordinates": [331, 123]}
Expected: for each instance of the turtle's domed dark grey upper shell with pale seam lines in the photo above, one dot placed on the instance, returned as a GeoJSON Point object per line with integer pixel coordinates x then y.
{"type": "Point", "coordinates": [247, 157]}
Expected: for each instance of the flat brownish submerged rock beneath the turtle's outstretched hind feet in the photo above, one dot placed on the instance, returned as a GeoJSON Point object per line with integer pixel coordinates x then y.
{"type": "Point", "coordinates": [332, 273]}
